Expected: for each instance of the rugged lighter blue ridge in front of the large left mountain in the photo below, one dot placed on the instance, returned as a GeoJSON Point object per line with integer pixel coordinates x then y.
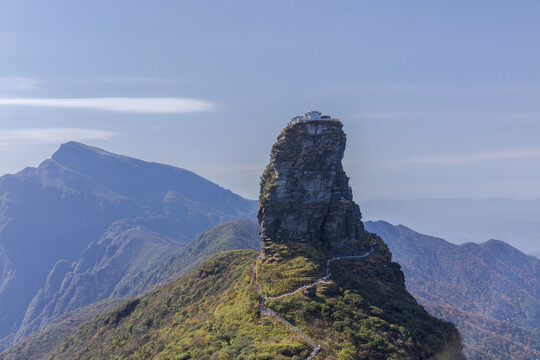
{"type": "Point", "coordinates": [107, 268]}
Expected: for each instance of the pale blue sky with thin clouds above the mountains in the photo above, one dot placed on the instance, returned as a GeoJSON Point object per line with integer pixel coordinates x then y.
{"type": "Point", "coordinates": [438, 99]}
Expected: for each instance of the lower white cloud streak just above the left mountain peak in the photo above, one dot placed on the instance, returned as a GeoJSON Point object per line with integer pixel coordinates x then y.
{"type": "Point", "coordinates": [52, 135]}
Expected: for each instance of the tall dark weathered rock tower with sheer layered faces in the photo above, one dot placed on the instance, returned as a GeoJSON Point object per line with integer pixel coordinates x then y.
{"type": "Point", "coordinates": [305, 194]}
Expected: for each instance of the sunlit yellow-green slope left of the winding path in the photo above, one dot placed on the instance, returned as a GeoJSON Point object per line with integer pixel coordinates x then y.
{"type": "Point", "coordinates": [210, 313]}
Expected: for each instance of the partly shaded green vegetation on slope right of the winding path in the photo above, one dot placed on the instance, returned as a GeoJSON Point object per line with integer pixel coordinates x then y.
{"type": "Point", "coordinates": [366, 319]}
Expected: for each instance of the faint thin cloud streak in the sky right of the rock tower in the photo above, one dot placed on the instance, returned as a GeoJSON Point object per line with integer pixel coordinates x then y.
{"type": "Point", "coordinates": [524, 153]}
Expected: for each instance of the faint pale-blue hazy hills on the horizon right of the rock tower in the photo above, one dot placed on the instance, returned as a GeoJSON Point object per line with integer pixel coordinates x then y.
{"type": "Point", "coordinates": [517, 222]}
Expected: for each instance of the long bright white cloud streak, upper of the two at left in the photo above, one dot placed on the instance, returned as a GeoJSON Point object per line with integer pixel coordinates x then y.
{"type": "Point", "coordinates": [137, 105]}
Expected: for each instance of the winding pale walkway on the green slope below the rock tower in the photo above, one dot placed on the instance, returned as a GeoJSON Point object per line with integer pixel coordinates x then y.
{"type": "Point", "coordinates": [269, 312]}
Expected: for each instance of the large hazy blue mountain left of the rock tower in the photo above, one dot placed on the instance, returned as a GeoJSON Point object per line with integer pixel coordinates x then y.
{"type": "Point", "coordinates": [77, 228]}
